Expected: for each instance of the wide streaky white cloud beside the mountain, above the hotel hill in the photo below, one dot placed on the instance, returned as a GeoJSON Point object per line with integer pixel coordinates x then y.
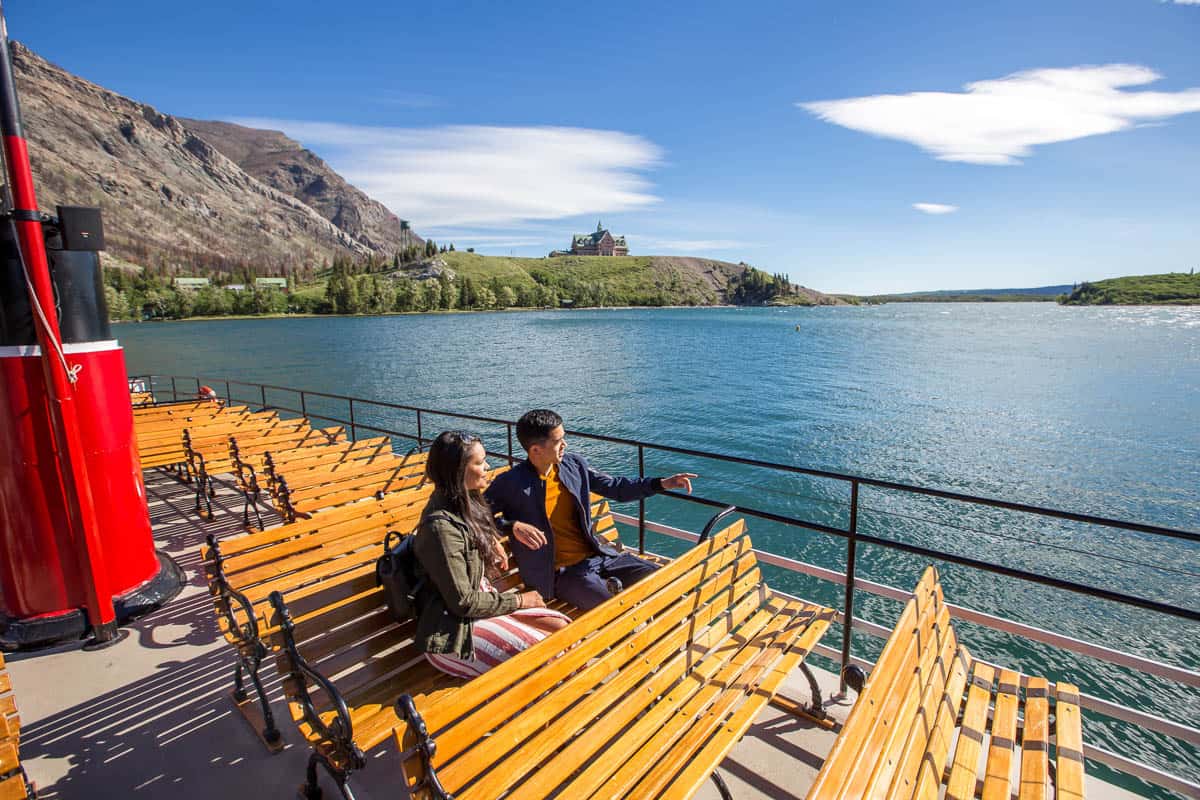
{"type": "Point", "coordinates": [485, 176]}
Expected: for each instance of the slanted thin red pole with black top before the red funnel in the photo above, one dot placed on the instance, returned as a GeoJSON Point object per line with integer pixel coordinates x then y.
{"type": "Point", "coordinates": [77, 496]}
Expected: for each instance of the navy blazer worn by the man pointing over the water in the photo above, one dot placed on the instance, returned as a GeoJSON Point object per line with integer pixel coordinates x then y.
{"type": "Point", "coordinates": [520, 496]}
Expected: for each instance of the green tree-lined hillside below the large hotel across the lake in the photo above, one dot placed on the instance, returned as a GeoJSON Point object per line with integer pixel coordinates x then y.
{"type": "Point", "coordinates": [459, 281]}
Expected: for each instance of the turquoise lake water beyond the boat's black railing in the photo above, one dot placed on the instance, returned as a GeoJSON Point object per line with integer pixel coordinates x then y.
{"type": "Point", "coordinates": [1094, 411]}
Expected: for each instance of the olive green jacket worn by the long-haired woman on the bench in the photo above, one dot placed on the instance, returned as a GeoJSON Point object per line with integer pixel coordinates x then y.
{"type": "Point", "coordinates": [452, 598]}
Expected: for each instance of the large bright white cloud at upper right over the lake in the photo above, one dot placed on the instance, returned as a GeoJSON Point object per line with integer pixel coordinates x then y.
{"type": "Point", "coordinates": [999, 122]}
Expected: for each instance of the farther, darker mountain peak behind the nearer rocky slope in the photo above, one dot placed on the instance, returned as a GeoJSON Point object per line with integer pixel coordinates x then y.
{"type": "Point", "coordinates": [285, 165]}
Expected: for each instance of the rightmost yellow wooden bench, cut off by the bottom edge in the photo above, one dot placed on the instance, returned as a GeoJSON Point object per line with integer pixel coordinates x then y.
{"type": "Point", "coordinates": [931, 713]}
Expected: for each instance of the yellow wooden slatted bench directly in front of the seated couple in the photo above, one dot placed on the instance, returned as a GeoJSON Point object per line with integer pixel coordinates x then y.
{"type": "Point", "coordinates": [641, 697]}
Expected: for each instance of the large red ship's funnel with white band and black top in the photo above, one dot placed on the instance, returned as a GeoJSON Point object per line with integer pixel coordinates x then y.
{"type": "Point", "coordinates": [76, 549]}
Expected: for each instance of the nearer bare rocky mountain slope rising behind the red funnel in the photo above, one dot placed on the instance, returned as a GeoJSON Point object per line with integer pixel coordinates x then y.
{"type": "Point", "coordinates": [173, 199]}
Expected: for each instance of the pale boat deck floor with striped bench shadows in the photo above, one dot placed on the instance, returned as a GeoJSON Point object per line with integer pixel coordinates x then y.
{"type": "Point", "coordinates": [152, 717]}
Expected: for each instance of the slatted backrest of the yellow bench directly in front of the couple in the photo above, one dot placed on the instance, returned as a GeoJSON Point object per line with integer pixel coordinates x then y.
{"type": "Point", "coordinates": [605, 665]}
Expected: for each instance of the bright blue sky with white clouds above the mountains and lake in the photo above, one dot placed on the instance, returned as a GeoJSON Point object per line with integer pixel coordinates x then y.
{"type": "Point", "coordinates": [833, 142]}
